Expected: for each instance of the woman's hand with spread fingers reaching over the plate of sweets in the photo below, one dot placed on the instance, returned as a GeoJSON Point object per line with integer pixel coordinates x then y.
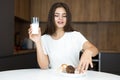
{"type": "Point", "coordinates": [85, 61]}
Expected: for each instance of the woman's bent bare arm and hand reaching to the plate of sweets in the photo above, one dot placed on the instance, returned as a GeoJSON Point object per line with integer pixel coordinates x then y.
{"type": "Point", "coordinates": [89, 51]}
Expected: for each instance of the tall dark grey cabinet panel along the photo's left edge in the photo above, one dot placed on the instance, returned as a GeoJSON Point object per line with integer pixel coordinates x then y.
{"type": "Point", "coordinates": [6, 27]}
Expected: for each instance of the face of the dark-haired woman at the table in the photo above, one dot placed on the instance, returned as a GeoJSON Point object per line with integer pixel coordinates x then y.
{"type": "Point", "coordinates": [60, 17]}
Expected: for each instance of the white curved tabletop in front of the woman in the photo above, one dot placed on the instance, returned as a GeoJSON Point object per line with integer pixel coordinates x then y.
{"type": "Point", "coordinates": [38, 74]}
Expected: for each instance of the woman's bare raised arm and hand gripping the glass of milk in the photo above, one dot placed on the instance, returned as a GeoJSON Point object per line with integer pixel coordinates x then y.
{"type": "Point", "coordinates": [42, 59]}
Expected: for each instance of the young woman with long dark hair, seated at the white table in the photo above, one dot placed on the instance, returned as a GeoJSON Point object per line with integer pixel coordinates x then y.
{"type": "Point", "coordinates": [61, 44]}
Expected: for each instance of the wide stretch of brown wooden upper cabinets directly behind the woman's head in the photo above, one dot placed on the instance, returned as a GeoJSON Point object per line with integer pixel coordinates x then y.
{"type": "Point", "coordinates": [82, 10]}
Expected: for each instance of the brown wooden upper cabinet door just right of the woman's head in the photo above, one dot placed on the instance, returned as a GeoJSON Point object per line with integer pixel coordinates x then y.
{"type": "Point", "coordinates": [85, 10]}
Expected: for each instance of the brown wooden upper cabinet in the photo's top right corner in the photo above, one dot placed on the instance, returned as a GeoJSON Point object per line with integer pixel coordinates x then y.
{"type": "Point", "coordinates": [109, 10]}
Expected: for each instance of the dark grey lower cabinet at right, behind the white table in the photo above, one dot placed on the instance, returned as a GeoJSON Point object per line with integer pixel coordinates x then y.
{"type": "Point", "coordinates": [110, 62]}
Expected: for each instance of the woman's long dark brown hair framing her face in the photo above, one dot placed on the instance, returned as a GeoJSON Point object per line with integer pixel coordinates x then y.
{"type": "Point", "coordinates": [50, 29]}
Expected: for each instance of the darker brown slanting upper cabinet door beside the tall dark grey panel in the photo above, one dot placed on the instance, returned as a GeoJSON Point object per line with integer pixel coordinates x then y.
{"type": "Point", "coordinates": [22, 9]}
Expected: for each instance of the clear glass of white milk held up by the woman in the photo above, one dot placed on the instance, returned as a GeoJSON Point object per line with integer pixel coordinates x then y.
{"type": "Point", "coordinates": [35, 25]}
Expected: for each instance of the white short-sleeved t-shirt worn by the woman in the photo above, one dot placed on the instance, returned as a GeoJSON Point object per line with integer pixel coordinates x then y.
{"type": "Point", "coordinates": [64, 50]}
